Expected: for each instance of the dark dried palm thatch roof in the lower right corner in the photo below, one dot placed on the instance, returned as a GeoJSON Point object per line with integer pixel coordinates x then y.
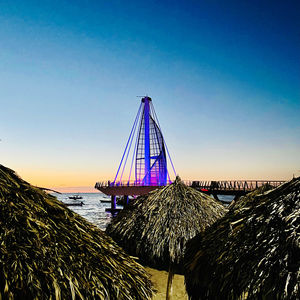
{"type": "Point", "coordinates": [251, 253]}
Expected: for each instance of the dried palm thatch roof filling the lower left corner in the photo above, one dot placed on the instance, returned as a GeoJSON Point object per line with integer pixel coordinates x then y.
{"type": "Point", "coordinates": [50, 252]}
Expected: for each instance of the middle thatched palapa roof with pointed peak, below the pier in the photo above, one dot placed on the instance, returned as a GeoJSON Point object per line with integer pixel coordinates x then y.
{"type": "Point", "coordinates": [156, 227]}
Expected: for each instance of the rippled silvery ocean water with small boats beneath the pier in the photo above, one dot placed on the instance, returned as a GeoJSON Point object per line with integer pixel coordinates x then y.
{"type": "Point", "coordinates": [94, 205]}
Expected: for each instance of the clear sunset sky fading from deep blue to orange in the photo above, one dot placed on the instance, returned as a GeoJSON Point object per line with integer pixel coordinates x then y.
{"type": "Point", "coordinates": [224, 77]}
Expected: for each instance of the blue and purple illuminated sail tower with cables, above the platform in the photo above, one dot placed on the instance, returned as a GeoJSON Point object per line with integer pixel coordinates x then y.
{"type": "Point", "coordinates": [149, 153]}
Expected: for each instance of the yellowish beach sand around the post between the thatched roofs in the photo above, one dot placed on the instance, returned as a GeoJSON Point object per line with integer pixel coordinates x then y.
{"type": "Point", "coordinates": [159, 280]}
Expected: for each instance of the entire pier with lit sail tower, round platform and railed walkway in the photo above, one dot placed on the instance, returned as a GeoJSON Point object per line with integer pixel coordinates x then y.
{"type": "Point", "coordinates": [148, 170]}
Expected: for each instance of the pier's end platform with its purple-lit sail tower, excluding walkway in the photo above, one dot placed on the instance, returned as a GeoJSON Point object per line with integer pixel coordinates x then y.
{"type": "Point", "coordinates": [149, 158]}
